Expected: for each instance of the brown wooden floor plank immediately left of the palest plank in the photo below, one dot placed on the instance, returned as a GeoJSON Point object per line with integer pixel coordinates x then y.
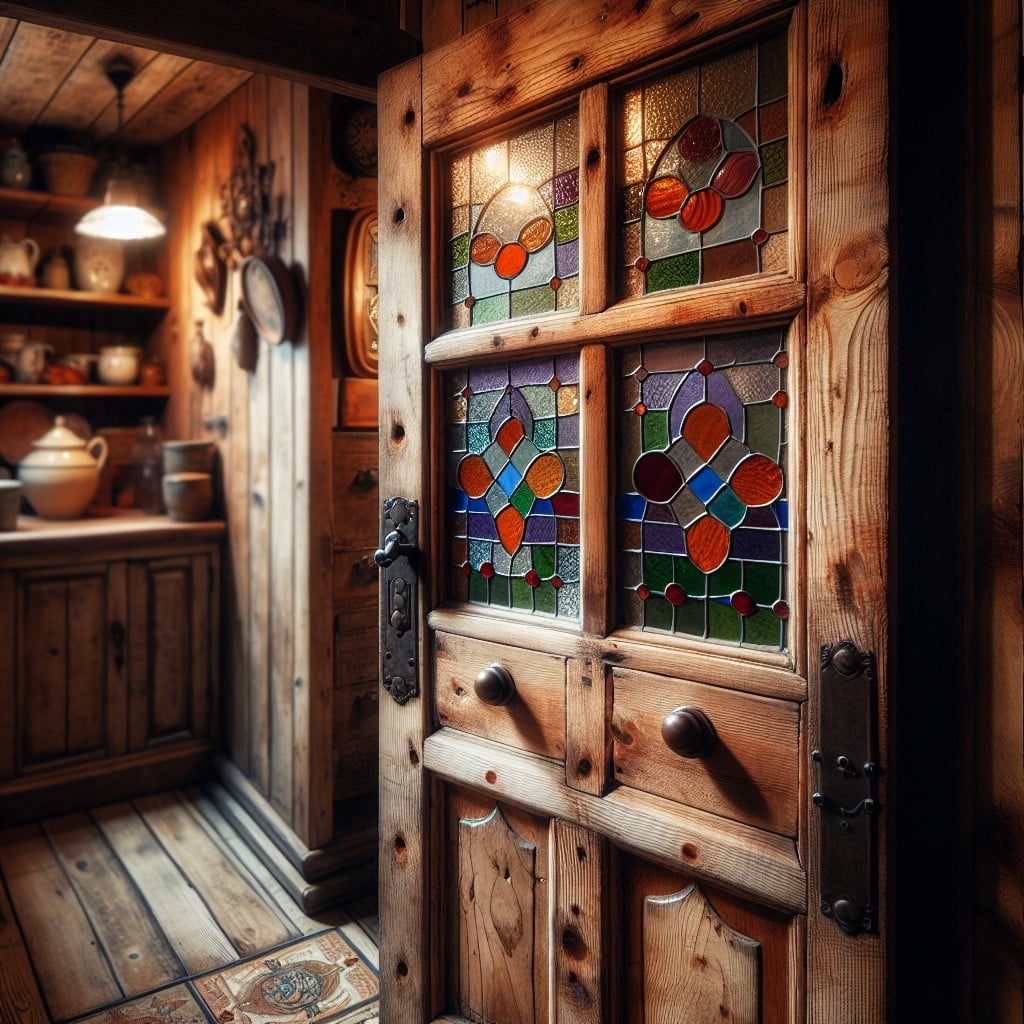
{"type": "Point", "coordinates": [136, 949]}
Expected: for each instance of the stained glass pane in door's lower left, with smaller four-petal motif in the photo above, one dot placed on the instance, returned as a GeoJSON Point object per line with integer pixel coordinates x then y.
{"type": "Point", "coordinates": [515, 486]}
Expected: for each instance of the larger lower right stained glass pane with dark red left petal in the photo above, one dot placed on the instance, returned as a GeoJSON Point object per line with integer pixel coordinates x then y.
{"type": "Point", "coordinates": [703, 504]}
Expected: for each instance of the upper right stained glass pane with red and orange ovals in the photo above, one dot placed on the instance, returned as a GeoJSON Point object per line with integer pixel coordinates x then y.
{"type": "Point", "coordinates": [703, 173]}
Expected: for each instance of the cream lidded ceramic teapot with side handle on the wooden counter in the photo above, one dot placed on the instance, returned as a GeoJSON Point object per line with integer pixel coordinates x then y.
{"type": "Point", "coordinates": [62, 475]}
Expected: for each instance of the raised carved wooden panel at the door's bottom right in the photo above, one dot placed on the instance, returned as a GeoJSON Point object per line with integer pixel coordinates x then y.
{"type": "Point", "coordinates": [697, 968]}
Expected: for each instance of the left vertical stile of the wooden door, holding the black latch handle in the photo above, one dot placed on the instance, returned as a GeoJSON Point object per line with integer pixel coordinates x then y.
{"type": "Point", "coordinates": [405, 837]}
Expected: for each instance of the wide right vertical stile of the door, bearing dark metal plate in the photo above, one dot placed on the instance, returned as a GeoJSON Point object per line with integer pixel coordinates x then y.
{"type": "Point", "coordinates": [848, 481]}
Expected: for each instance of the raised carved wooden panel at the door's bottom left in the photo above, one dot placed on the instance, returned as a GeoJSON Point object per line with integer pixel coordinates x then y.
{"type": "Point", "coordinates": [497, 898]}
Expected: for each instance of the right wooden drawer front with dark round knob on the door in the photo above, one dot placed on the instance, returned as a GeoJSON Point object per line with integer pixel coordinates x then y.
{"type": "Point", "coordinates": [751, 776]}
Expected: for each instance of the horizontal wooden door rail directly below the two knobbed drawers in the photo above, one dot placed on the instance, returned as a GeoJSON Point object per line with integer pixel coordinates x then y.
{"type": "Point", "coordinates": [749, 861]}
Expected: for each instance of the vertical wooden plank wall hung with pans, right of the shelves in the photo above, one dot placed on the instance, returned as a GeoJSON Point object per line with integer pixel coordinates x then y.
{"type": "Point", "coordinates": [272, 428]}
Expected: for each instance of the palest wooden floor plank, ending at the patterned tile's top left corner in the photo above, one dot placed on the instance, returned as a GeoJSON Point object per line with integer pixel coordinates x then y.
{"type": "Point", "coordinates": [194, 934]}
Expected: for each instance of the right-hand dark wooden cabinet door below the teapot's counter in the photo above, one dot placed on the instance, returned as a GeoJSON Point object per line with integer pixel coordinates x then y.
{"type": "Point", "coordinates": [173, 628]}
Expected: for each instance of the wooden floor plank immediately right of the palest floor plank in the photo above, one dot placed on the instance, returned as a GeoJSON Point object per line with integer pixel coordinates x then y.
{"type": "Point", "coordinates": [250, 920]}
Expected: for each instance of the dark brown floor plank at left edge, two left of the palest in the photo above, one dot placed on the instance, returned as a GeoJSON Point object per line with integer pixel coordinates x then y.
{"type": "Point", "coordinates": [73, 974]}
